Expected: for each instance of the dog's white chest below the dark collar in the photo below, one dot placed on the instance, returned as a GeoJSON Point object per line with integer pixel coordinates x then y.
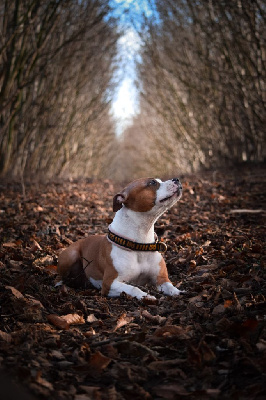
{"type": "Point", "coordinates": [135, 267]}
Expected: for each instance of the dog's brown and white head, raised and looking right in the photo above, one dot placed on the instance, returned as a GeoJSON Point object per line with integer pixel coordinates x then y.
{"type": "Point", "coordinates": [149, 195]}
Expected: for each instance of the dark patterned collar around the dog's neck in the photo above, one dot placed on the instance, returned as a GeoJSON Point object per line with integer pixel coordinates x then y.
{"type": "Point", "coordinates": [129, 244]}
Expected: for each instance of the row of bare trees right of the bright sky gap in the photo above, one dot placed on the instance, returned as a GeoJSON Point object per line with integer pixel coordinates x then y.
{"type": "Point", "coordinates": [202, 79]}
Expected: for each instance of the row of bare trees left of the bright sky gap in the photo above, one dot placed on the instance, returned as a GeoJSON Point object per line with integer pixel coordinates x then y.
{"type": "Point", "coordinates": [56, 66]}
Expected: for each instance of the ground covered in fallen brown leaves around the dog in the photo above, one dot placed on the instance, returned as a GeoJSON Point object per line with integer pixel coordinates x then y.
{"type": "Point", "coordinates": [209, 343]}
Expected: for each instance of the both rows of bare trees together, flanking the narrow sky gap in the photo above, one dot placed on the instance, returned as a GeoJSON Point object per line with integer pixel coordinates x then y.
{"type": "Point", "coordinates": [201, 76]}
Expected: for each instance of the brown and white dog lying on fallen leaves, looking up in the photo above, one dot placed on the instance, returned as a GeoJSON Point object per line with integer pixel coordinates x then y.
{"type": "Point", "coordinates": [129, 253]}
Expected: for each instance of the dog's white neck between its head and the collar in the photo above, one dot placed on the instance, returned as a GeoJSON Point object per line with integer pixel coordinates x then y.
{"type": "Point", "coordinates": [135, 226]}
